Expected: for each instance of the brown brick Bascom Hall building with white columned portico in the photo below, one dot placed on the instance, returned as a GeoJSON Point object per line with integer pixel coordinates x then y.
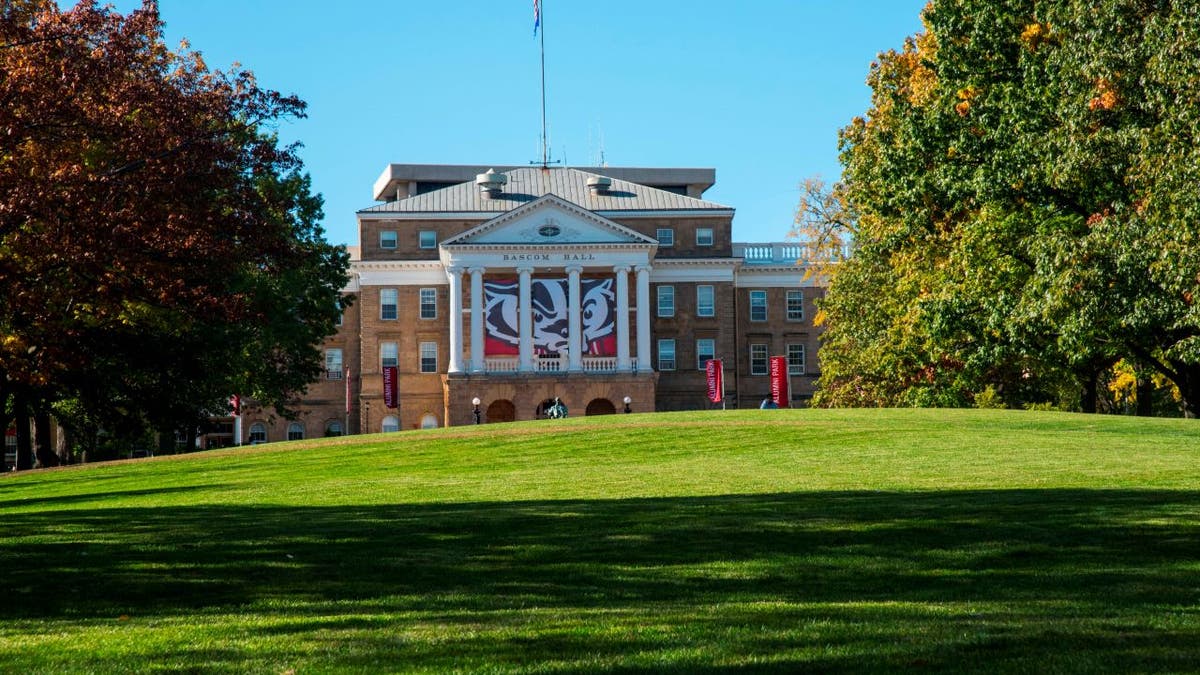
{"type": "Point", "coordinates": [519, 286]}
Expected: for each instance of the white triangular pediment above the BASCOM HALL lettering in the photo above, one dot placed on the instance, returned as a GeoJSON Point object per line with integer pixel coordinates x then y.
{"type": "Point", "coordinates": [553, 222]}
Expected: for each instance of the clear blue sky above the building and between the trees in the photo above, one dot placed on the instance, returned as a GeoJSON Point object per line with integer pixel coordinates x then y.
{"type": "Point", "coordinates": [755, 89]}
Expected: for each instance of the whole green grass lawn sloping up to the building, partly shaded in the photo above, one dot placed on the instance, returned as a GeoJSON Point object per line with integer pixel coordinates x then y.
{"type": "Point", "coordinates": [773, 541]}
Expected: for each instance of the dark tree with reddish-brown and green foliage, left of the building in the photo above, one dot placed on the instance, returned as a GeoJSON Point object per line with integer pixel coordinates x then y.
{"type": "Point", "coordinates": [159, 248]}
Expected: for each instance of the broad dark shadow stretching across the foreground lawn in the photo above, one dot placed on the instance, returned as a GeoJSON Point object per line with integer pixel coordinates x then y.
{"type": "Point", "coordinates": [1022, 580]}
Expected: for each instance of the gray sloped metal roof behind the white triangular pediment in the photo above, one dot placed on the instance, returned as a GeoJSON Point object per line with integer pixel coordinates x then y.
{"type": "Point", "coordinates": [529, 184]}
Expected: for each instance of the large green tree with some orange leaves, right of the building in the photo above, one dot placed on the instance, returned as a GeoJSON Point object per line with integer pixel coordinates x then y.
{"type": "Point", "coordinates": [1024, 188]}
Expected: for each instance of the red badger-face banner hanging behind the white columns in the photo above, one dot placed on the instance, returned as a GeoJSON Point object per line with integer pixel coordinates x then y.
{"type": "Point", "coordinates": [551, 318]}
